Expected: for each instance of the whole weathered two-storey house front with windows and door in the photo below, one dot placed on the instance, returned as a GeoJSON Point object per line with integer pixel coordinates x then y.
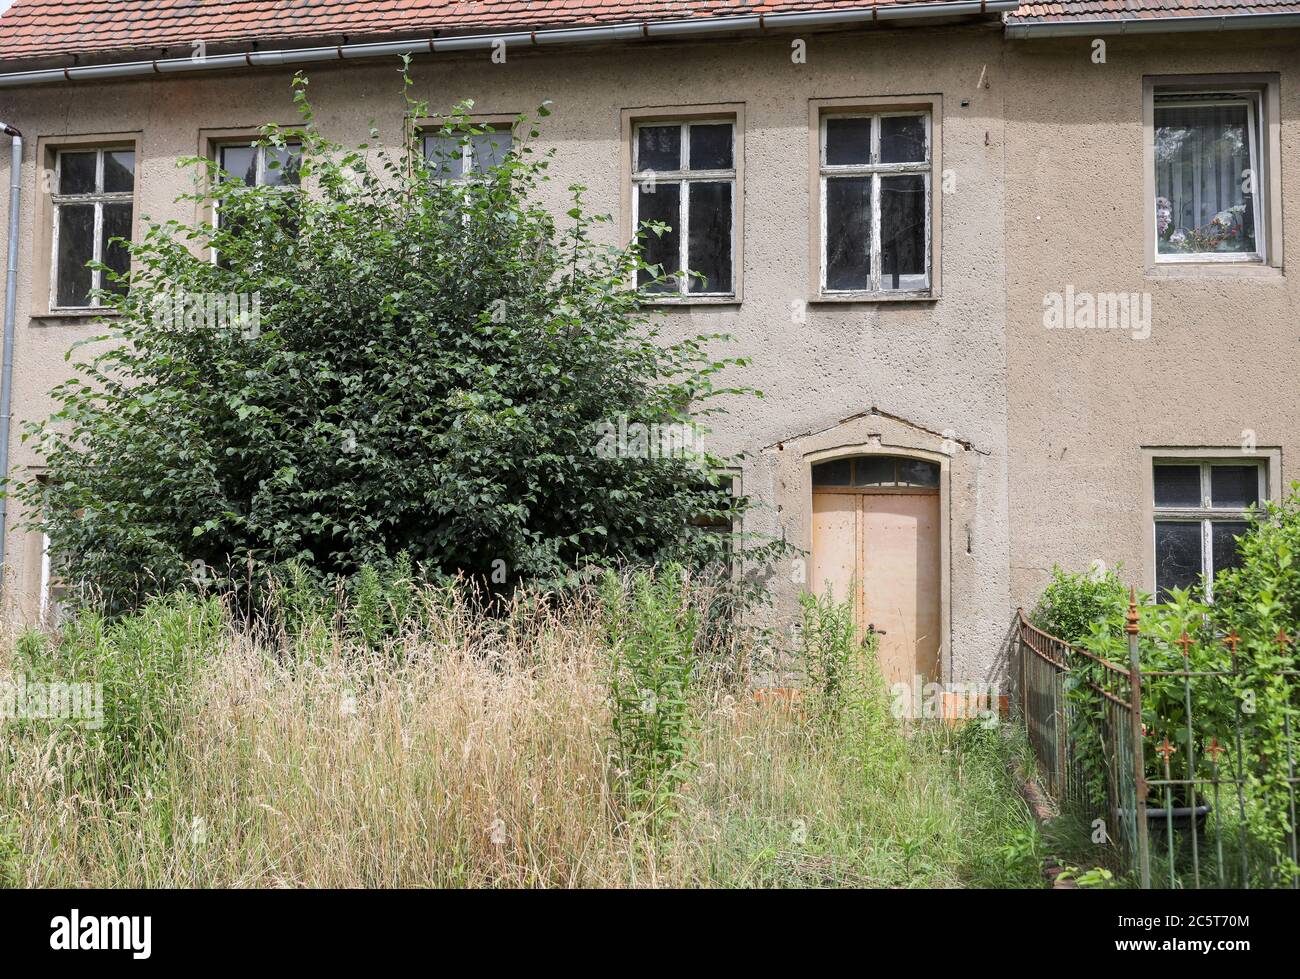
{"type": "Point", "coordinates": [1013, 283]}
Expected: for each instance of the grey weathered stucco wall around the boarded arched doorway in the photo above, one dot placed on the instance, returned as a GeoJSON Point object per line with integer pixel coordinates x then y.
{"type": "Point", "coordinates": [931, 369]}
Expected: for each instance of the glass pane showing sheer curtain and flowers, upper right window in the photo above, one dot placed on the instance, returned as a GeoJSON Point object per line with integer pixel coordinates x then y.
{"type": "Point", "coordinates": [1202, 202]}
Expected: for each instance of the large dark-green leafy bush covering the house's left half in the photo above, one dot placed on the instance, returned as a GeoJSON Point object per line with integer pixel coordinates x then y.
{"type": "Point", "coordinates": [428, 371]}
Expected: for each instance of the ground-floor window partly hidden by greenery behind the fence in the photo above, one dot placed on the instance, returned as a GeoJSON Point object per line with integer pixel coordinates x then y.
{"type": "Point", "coordinates": [1201, 509]}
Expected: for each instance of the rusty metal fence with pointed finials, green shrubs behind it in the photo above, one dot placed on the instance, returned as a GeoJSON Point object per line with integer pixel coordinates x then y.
{"type": "Point", "coordinates": [1215, 807]}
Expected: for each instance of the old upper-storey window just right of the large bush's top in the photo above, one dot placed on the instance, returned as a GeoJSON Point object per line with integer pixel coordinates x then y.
{"type": "Point", "coordinates": [684, 175]}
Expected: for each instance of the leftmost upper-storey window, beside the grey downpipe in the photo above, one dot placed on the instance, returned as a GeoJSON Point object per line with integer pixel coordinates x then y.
{"type": "Point", "coordinates": [93, 205]}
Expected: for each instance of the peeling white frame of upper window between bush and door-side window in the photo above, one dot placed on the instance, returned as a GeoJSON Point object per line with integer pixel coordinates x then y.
{"type": "Point", "coordinates": [684, 176]}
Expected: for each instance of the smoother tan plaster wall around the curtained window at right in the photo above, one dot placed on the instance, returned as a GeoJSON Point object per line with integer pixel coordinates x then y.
{"type": "Point", "coordinates": [1223, 357]}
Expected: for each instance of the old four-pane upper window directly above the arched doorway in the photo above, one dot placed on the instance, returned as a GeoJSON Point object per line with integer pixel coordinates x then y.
{"type": "Point", "coordinates": [876, 189]}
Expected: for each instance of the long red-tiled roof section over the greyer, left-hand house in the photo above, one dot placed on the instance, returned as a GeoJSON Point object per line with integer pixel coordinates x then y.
{"type": "Point", "coordinates": [51, 28]}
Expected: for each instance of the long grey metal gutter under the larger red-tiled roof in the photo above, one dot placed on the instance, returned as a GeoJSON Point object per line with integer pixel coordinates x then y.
{"type": "Point", "coordinates": [636, 31]}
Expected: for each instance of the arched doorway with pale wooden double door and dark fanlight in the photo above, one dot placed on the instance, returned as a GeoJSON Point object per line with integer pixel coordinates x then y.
{"type": "Point", "coordinates": [877, 535]}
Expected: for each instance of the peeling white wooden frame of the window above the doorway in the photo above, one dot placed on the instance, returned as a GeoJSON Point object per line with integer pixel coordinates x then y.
{"type": "Point", "coordinates": [877, 171]}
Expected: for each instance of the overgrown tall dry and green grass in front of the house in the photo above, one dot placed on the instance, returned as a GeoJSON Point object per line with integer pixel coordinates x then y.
{"type": "Point", "coordinates": [470, 751]}
